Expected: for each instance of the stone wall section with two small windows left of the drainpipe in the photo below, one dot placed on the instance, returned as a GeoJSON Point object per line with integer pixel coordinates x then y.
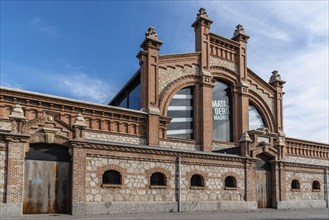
{"type": "Point", "coordinates": [135, 181]}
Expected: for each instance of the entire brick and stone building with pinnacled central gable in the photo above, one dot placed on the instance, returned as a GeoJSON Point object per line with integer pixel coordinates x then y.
{"type": "Point", "coordinates": [188, 132]}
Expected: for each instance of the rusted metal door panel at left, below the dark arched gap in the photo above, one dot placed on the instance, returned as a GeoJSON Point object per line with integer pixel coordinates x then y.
{"type": "Point", "coordinates": [47, 187]}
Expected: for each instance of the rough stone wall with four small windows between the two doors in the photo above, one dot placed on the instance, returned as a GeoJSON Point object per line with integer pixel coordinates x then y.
{"type": "Point", "coordinates": [136, 187]}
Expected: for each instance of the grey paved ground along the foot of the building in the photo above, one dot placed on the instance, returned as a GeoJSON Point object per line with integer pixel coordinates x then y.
{"type": "Point", "coordinates": [269, 214]}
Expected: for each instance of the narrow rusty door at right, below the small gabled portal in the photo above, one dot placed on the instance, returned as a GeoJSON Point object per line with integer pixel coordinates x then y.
{"type": "Point", "coordinates": [263, 188]}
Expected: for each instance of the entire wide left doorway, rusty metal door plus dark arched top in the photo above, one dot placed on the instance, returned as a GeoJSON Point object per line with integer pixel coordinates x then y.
{"type": "Point", "coordinates": [47, 181]}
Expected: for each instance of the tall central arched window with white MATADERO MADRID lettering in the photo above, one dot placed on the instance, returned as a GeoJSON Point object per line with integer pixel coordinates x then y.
{"type": "Point", "coordinates": [221, 112]}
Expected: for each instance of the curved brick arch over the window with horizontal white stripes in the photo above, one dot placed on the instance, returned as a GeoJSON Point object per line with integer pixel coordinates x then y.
{"type": "Point", "coordinates": [171, 89]}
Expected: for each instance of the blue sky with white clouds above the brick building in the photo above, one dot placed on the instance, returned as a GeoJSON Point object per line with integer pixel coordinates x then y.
{"type": "Point", "coordinates": [87, 49]}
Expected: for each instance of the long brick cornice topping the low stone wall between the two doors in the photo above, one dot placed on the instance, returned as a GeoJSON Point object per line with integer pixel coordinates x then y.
{"type": "Point", "coordinates": [110, 146]}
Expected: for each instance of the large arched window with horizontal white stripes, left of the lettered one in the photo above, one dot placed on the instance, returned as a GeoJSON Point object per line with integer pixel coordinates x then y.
{"type": "Point", "coordinates": [181, 111]}
